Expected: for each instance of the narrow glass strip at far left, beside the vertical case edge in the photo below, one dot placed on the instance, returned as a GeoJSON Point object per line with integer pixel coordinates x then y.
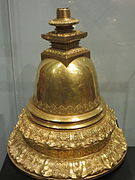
{"type": "Point", "coordinates": [8, 114]}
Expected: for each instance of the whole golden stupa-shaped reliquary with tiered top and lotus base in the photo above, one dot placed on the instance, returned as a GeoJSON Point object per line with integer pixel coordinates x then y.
{"type": "Point", "coordinates": [66, 131]}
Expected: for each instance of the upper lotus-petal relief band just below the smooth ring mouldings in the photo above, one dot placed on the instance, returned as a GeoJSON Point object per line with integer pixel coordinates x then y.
{"type": "Point", "coordinates": [66, 139]}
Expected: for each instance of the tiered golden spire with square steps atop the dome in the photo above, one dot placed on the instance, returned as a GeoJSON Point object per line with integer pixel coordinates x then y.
{"type": "Point", "coordinates": [64, 39]}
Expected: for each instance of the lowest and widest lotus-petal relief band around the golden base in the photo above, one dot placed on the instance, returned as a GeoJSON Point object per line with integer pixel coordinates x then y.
{"type": "Point", "coordinates": [42, 166]}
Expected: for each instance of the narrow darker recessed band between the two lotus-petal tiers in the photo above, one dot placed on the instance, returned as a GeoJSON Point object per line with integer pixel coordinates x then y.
{"type": "Point", "coordinates": [67, 153]}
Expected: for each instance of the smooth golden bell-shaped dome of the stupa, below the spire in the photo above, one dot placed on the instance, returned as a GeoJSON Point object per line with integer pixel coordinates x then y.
{"type": "Point", "coordinates": [66, 90]}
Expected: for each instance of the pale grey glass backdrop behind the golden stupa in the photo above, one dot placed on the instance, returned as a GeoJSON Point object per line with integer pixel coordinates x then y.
{"type": "Point", "coordinates": [111, 40]}
